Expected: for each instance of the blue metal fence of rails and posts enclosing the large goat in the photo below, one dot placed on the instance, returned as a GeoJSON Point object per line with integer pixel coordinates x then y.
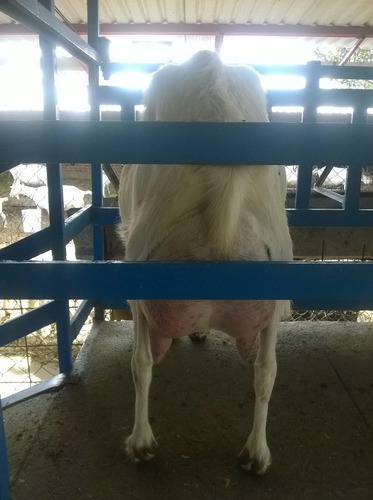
{"type": "Point", "coordinates": [108, 285]}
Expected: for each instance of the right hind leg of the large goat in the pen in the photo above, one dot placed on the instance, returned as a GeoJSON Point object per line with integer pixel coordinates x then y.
{"type": "Point", "coordinates": [255, 456]}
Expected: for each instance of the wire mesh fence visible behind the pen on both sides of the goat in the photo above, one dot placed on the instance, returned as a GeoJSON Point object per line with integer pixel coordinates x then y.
{"type": "Point", "coordinates": [24, 209]}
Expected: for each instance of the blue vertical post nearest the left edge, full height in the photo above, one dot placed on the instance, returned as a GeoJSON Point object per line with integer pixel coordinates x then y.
{"type": "Point", "coordinates": [55, 195]}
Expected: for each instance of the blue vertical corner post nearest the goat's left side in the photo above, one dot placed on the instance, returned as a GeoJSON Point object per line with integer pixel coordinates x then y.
{"type": "Point", "coordinates": [96, 168]}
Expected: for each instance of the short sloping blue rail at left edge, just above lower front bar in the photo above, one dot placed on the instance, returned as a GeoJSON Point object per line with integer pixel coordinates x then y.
{"type": "Point", "coordinates": [28, 247]}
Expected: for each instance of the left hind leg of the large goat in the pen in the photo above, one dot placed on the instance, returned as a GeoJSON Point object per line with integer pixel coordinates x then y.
{"type": "Point", "coordinates": [141, 443]}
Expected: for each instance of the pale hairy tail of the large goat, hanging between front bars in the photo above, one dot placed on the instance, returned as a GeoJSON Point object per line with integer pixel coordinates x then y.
{"type": "Point", "coordinates": [225, 195]}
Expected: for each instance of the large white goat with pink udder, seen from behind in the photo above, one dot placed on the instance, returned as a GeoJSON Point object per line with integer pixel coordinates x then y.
{"type": "Point", "coordinates": [202, 213]}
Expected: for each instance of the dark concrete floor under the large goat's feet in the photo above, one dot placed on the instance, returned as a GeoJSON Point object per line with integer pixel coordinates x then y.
{"type": "Point", "coordinates": [68, 445]}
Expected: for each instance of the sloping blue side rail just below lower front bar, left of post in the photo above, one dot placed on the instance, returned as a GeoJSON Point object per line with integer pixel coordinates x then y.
{"type": "Point", "coordinates": [28, 322]}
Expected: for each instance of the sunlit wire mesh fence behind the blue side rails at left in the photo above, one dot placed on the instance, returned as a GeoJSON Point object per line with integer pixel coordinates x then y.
{"type": "Point", "coordinates": [24, 209]}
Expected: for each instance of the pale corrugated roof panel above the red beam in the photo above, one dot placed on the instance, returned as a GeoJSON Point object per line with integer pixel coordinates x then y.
{"type": "Point", "coordinates": [287, 12]}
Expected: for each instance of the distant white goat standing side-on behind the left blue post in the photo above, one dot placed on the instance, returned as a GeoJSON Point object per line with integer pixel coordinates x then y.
{"type": "Point", "coordinates": [73, 197]}
